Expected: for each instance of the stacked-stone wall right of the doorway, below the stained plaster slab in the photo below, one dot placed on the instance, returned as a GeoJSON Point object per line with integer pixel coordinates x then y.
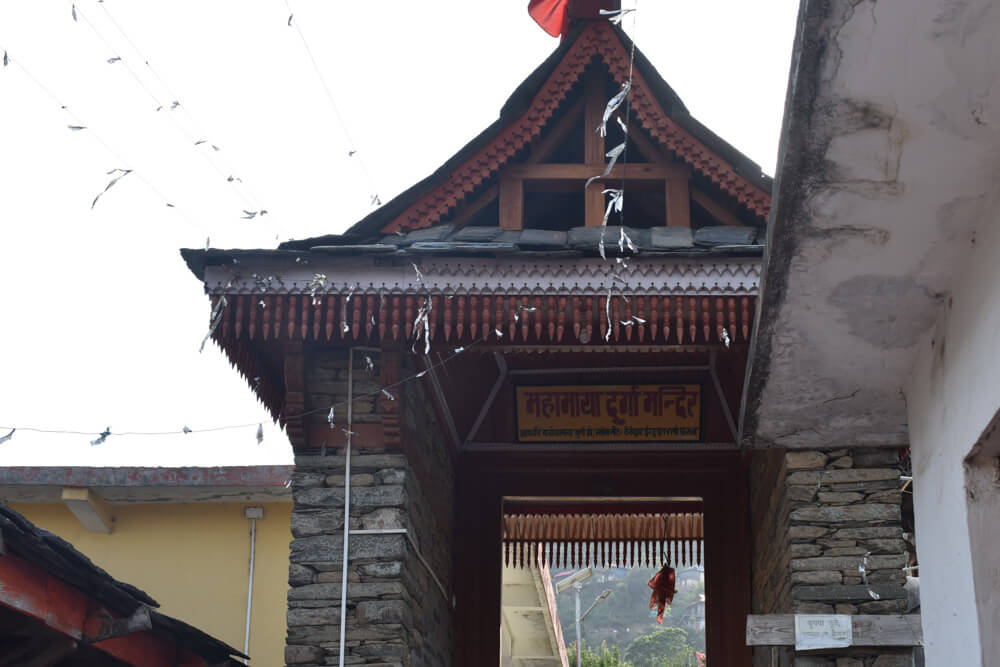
{"type": "Point", "coordinates": [835, 512]}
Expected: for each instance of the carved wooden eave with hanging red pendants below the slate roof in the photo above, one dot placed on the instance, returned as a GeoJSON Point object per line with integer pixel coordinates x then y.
{"type": "Point", "coordinates": [273, 308]}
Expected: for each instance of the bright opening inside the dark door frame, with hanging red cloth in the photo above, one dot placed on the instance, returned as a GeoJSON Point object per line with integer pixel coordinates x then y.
{"type": "Point", "coordinates": [615, 580]}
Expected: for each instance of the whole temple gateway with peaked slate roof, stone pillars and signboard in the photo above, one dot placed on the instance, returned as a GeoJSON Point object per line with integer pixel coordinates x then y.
{"type": "Point", "coordinates": [535, 358]}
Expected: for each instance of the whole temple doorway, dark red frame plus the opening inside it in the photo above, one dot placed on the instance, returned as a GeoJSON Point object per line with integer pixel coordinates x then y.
{"type": "Point", "coordinates": [539, 532]}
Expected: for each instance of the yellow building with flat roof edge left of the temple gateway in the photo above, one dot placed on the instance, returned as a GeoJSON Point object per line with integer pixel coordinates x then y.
{"type": "Point", "coordinates": [181, 534]}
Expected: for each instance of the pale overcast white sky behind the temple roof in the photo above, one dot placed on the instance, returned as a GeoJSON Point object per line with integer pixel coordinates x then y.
{"type": "Point", "coordinates": [101, 322]}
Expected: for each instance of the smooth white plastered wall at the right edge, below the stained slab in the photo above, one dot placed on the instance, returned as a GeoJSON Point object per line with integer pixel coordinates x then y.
{"type": "Point", "coordinates": [952, 397]}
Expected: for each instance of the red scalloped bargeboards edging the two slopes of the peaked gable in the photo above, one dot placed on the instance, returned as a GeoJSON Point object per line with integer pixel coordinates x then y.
{"type": "Point", "coordinates": [672, 129]}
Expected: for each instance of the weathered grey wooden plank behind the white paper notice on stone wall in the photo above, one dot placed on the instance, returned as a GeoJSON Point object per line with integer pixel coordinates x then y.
{"type": "Point", "coordinates": [868, 630]}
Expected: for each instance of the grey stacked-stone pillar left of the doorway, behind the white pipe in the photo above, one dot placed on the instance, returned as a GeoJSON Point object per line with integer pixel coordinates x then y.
{"type": "Point", "coordinates": [396, 615]}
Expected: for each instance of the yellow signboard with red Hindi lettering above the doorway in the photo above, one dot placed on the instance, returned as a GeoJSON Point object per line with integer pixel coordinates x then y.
{"type": "Point", "coordinates": [609, 413]}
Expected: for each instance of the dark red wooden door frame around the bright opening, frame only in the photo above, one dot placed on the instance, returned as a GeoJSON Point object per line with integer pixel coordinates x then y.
{"type": "Point", "coordinates": [485, 478]}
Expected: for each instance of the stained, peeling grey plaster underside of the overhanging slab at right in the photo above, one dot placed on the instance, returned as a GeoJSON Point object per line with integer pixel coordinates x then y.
{"type": "Point", "coordinates": [889, 149]}
